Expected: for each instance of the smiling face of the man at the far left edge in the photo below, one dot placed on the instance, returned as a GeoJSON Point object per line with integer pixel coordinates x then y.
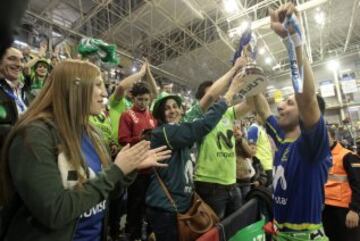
{"type": "Point", "coordinates": [11, 64]}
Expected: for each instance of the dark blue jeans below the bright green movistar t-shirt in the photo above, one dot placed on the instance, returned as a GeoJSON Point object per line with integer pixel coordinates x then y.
{"type": "Point", "coordinates": [223, 199]}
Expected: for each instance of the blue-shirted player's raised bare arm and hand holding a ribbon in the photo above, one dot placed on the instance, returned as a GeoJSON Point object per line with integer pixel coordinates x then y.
{"type": "Point", "coordinates": [306, 101]}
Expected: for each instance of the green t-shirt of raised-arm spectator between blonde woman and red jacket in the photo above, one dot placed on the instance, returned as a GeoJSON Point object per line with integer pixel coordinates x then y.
{"type": "Point", "coordinates": [117, 107]}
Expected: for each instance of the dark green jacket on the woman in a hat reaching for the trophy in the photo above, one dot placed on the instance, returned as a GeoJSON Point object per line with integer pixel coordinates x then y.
{"type": "Point", "coordinates": [178, 176]}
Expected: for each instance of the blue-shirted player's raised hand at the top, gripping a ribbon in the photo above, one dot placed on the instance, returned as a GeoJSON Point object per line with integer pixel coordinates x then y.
{"type": "Point", "coordinates": [277, 19]}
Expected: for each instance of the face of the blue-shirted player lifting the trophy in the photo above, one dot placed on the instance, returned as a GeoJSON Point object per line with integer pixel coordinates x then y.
{"type": "Point", "coordinates": [288, 113]}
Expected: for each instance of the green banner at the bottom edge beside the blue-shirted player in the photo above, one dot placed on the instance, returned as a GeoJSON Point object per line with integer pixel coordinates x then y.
{"type": "Point", "coordinates": [253, 232]}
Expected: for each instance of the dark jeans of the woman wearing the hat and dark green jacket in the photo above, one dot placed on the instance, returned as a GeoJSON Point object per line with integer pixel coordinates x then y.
{"type": "Point", "coordinates": [163, 223]}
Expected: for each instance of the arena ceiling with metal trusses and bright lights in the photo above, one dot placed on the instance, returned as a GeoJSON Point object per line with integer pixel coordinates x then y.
{"type": "Point", "coordinates": [189, 41]}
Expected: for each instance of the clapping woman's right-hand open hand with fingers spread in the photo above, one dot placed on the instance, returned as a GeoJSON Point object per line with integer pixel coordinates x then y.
{"type": "Point", "coordinates": [154, 157]}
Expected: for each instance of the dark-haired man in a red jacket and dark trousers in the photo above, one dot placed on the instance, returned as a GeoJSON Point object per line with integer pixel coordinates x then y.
{"type": "Point", "coordinates": [132, 124]}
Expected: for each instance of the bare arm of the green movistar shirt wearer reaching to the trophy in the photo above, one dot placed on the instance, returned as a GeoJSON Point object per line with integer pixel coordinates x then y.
{"type": "Point", "coordinates": [220, 85]}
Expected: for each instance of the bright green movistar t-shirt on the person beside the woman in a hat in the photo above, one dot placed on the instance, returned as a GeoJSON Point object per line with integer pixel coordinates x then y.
{"type": "Point", "coordinates": [216, 162]}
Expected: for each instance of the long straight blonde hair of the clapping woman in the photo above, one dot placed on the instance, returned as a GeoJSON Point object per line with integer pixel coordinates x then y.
{"type": "Point", "coordinates": [64, 100]}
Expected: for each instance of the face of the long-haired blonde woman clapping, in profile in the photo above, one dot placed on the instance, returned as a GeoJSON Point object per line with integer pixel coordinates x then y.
{"type": "Point", "coordinates": [99, 93]}
